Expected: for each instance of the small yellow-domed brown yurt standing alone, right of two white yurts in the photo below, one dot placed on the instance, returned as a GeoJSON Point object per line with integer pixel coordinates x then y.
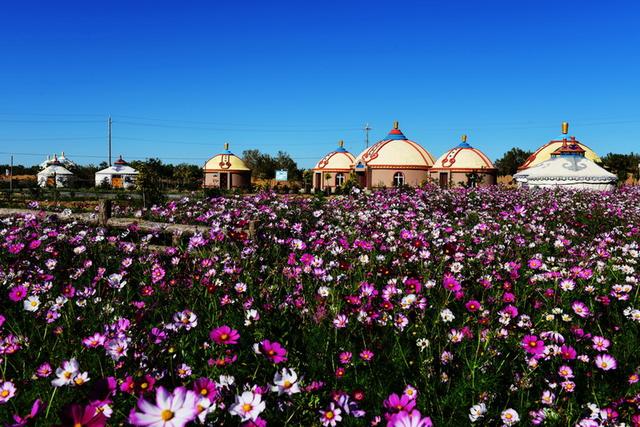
{"type": "Point", "coordinates": [226, 171]}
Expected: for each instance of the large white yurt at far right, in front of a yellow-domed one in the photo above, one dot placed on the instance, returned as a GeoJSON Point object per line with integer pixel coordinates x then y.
{"type": "Point", "coordinates": [568, 167]}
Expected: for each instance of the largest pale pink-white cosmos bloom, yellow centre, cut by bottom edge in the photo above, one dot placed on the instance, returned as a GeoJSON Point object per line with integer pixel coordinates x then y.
{"type": "Point", "coordinates": [170, 410]}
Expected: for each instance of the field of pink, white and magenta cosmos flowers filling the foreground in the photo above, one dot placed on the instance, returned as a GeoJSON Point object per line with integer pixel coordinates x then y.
{"type": "Point", "coordinates": [410, 307]}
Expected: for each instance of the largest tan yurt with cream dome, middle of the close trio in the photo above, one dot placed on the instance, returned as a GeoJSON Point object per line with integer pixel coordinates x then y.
{"type": "Point", "coordinates": [392, 162]}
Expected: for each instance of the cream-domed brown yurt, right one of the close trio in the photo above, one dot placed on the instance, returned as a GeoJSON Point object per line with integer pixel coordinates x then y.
{"type": "Point", "coordinates": [463, 166]}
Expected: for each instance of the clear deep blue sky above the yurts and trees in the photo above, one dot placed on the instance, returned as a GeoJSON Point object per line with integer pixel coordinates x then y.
{"type": "Point", "coordinates": [182, 78]}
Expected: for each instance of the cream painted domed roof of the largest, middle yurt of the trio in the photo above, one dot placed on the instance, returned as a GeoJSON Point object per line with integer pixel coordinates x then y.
{"type": "Point", "coordinates": [395, 151]}
